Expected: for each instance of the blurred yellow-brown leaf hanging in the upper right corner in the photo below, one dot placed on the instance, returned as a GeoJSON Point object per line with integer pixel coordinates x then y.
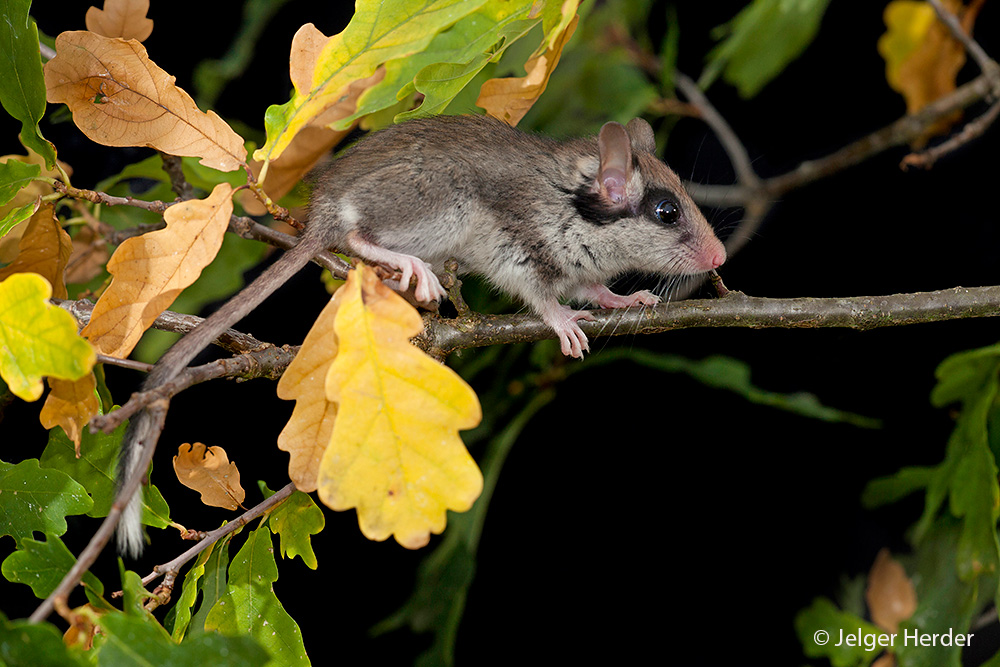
{"type": "Point", "coordinates": [922, 57]}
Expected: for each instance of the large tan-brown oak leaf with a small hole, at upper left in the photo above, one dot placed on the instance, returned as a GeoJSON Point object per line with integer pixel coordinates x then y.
{"type": "Point", "coordinates": [119, 97]}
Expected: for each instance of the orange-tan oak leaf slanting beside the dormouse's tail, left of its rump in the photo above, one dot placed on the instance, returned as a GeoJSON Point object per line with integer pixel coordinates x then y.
{"type": "Point", "coordinates": [149, 271]}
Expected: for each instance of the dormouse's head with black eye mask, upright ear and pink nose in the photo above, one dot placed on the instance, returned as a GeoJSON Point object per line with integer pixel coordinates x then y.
{"type": "Point", "coordinates": [633, 189]}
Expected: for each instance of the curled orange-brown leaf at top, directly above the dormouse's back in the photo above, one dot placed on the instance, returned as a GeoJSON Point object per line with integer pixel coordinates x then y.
{"type": "Point", "coordinates": [510, 98]}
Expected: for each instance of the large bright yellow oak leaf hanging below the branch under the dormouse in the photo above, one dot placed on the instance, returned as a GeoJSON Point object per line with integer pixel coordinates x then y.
{"type": "Point", "coordinates": [394, 454]}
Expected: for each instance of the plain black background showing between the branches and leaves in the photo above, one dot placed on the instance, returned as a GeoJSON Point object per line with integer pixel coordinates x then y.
{"type": "Point", "coordinates": [641, 515]}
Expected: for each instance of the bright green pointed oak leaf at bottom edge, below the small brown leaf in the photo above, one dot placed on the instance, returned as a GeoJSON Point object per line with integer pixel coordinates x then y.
{"type": "Point", "coordinates": [250, 606]}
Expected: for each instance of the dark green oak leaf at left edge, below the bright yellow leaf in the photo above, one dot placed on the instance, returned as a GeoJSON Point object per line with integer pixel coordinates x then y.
{"type": "Point", "coordinates": [34, 498]}
